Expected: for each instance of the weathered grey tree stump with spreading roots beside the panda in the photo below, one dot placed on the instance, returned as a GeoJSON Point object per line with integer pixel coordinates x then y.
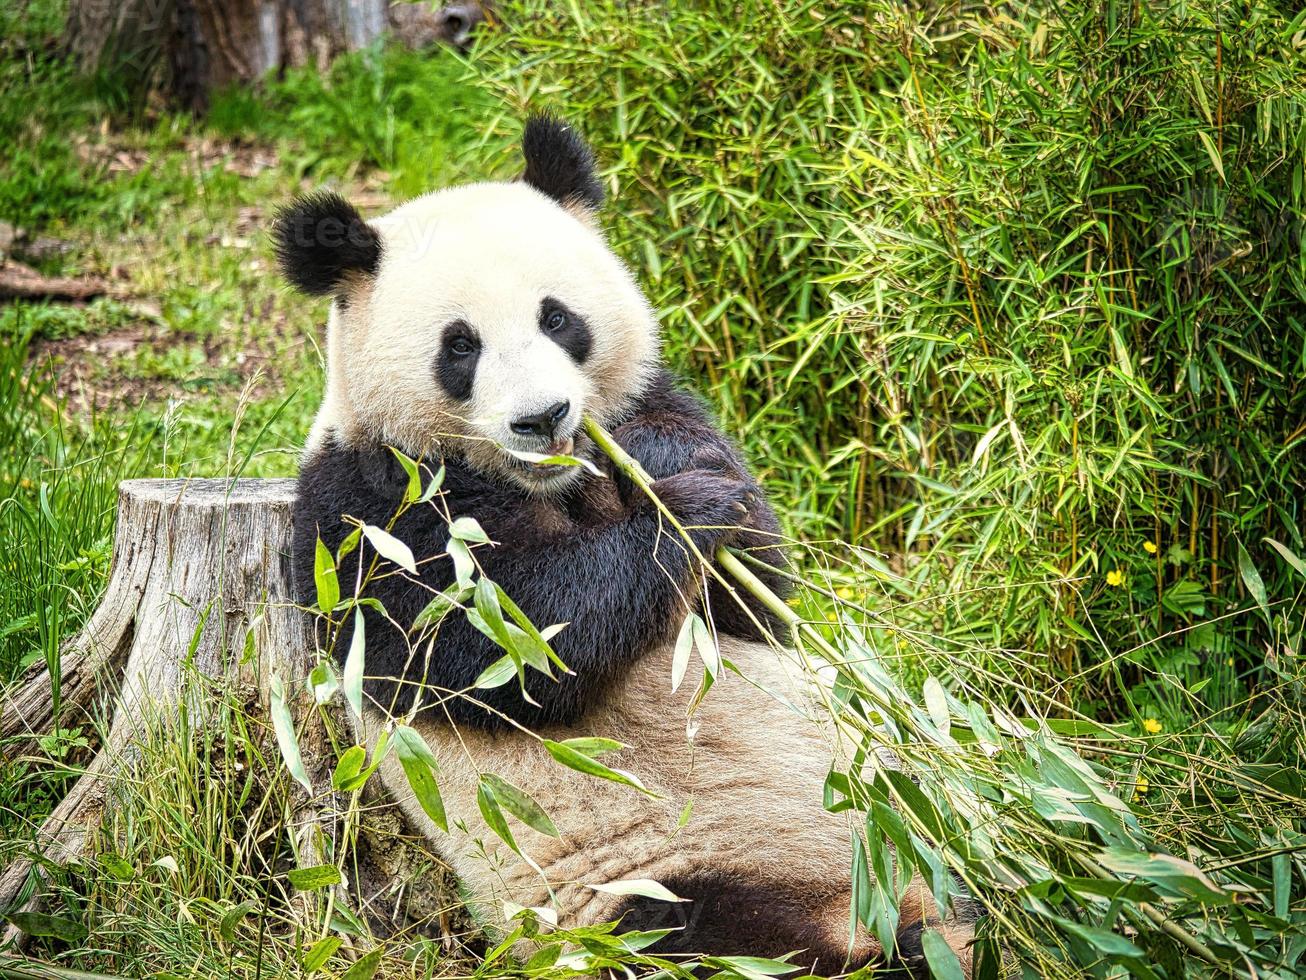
{"type": "Point", "coordinates": [200, 577]}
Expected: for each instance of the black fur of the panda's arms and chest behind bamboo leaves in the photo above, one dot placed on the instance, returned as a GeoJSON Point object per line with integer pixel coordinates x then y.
{"type": "Point", "coordinates": [599, 559]}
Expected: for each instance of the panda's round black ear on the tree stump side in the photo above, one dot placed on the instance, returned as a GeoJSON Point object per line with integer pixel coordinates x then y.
{"type": "Point", "coordinates": [322, 241]}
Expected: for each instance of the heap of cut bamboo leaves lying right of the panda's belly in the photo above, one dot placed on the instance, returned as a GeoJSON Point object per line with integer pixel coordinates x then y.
{"type": "Point", "coordinates": [1096, 853]}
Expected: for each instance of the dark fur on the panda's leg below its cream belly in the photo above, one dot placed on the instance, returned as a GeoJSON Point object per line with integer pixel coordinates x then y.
{"type": "Point", "coordinates": [736, 918]}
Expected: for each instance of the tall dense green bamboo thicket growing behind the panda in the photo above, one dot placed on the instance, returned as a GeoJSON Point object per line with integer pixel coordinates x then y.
{"type": "Point", "coordinates": [1006, 300]}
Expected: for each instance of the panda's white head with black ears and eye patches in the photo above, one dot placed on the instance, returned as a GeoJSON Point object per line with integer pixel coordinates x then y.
{"type": "Point", "coordinates": [476, 321]}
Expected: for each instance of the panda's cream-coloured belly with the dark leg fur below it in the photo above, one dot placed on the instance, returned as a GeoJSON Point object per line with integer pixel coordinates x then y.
{"type": "Point", "coordinates": [766, 868]}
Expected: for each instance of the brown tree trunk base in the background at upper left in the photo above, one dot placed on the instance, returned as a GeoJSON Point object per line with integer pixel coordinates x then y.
{"type": "Point", "coordinates": [193, 48]}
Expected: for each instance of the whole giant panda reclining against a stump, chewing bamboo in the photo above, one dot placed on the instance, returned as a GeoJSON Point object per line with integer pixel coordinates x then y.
{"type": "Point", "coordinates": [489, 319]}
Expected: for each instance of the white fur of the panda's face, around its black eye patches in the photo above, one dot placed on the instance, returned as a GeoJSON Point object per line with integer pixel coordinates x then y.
{"type": "Point", "coordinates": [489, 255]}
